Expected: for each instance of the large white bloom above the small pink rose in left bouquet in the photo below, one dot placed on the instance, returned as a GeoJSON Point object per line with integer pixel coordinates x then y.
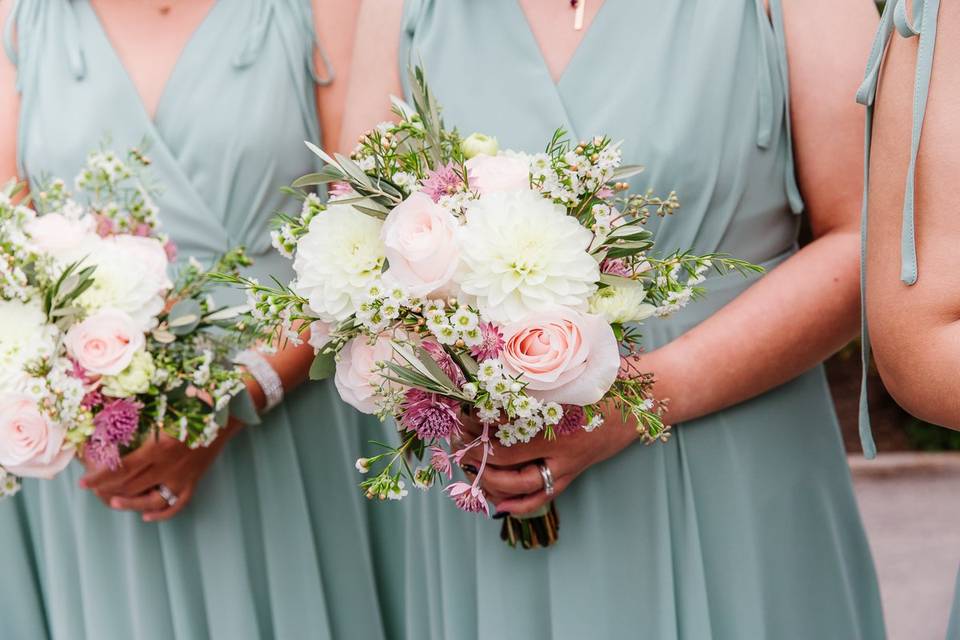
{"type": "Point", "coordinates": [131, 275]}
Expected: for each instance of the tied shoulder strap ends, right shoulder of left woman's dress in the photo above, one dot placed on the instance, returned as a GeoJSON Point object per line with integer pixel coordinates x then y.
{"type": "Point", "coordinates": [263, 14]}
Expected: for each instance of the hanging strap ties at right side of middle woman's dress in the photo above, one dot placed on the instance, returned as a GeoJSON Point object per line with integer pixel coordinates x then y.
{"type": "Point", "coordinates": [768, 112]}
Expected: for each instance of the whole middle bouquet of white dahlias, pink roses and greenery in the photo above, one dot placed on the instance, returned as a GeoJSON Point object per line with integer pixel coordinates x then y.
{"type": "Point", "coordinates": [446, 277]}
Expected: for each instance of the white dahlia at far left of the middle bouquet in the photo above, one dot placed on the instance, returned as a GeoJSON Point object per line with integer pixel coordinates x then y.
{"type": "Point", "coordinates": [337, 260]}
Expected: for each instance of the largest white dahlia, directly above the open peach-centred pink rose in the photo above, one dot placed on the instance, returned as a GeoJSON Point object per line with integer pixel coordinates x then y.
{"type": "Point", "coordinates": [523, 253]}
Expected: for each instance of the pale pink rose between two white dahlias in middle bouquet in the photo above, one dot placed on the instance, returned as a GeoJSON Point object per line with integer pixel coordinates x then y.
{"type": "Point", "coordinates": [421, 247]}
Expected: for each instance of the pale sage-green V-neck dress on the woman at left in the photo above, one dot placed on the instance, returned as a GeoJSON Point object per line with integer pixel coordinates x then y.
{"type": "Point", "coordinates": [277, 542]}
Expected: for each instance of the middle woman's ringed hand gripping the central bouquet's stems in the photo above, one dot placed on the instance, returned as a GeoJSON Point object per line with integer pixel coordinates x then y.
{"type": "Point", "coordinates": [512, 479]}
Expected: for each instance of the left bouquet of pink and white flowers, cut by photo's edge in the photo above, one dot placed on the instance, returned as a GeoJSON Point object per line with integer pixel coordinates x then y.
{"type": "Point", "coordinates": [99, 348]}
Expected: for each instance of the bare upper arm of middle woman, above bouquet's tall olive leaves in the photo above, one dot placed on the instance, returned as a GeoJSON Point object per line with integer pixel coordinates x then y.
{"type": "Point", "coordinates": [376, 68]}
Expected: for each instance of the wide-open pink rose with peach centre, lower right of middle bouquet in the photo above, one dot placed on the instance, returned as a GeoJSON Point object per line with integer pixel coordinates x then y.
{"type": "Point", "coordinates": [563, 355]}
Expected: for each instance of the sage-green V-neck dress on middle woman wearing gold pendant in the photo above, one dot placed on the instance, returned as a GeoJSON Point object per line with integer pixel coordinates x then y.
{"type": "Point", "coordinates": [744, 525]}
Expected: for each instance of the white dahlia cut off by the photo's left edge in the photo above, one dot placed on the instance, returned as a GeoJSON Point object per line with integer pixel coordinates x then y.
{"type": "Point", "coordinates": [25, 337]}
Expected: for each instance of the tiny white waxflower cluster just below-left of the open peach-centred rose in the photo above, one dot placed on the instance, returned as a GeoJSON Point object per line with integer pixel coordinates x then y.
{"type": "Point", "coordinates": [506, 396]}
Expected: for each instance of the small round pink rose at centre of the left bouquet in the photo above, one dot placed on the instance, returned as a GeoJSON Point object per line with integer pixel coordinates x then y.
{"type": "Point", "coordinates": [104, 343]}
